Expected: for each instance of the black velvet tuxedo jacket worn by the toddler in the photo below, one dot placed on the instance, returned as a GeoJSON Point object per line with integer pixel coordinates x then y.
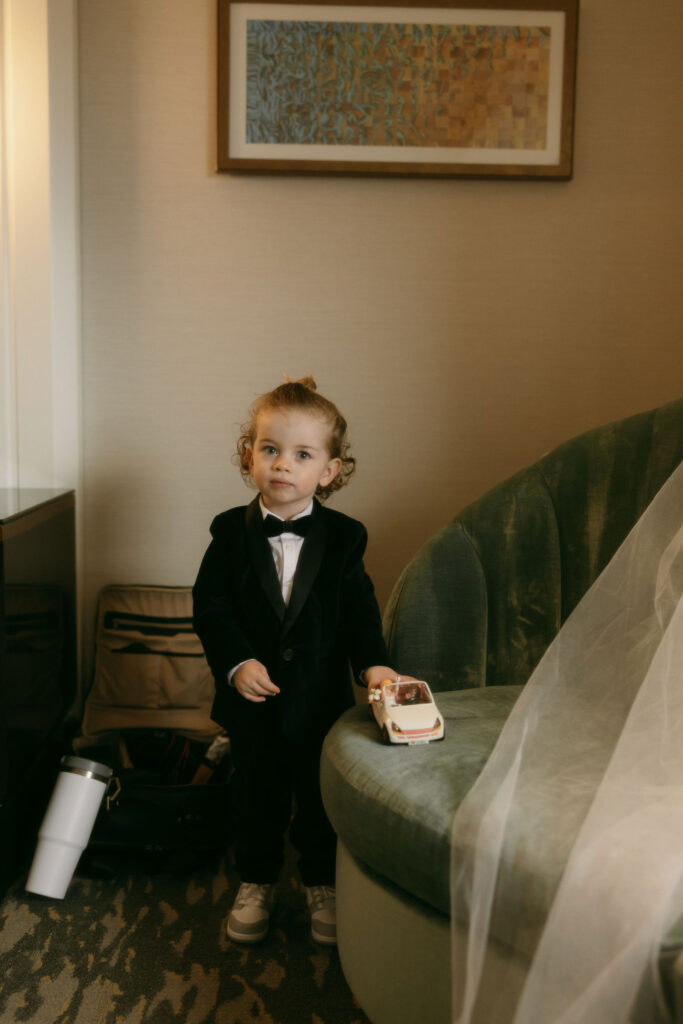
{"type": "Point", "coordinates": [332, 619]}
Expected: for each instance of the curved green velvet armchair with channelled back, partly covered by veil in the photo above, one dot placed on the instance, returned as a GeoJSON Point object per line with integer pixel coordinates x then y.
{"type": "Point", "coordinates": [473, 614]}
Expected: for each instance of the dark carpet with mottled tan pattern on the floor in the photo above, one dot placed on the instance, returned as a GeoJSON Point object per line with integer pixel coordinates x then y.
{"type": "Point", "coordinates": [151, 949]}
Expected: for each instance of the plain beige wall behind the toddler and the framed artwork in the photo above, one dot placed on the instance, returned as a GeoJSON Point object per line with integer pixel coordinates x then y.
{"type": "Point", "coordinates": [463, 327]}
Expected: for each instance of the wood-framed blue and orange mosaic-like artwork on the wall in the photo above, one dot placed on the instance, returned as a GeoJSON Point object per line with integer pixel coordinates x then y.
{"type": "Point", "coordinates": [386, 89]}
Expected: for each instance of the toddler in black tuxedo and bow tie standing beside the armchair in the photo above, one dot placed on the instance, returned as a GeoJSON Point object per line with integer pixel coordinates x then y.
{"type": "Point", "coordinates": [282, 605]}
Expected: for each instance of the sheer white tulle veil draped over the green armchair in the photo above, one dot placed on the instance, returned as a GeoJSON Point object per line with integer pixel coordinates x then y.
{"type": "Point", "coordinates": [568, 854]}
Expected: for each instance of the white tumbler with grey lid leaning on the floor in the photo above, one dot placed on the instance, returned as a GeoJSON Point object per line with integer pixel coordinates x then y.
{"type": "Point", "coordinates": [67, 826]}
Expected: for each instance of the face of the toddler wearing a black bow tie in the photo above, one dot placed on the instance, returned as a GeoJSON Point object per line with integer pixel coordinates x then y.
{"type": "Point", "coordinates": [290, 458]}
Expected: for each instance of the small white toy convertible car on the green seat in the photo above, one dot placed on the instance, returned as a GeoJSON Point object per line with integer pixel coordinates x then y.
{"type": "Point", "coordinates": [406, 712]}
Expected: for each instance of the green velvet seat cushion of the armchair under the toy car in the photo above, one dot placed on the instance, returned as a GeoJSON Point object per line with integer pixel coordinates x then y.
{"type": "Point", "coordinates": [394, 806]}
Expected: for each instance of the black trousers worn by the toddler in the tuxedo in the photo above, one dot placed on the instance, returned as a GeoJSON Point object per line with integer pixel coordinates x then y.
{"type": "Point", "coordinates": [273, 779]}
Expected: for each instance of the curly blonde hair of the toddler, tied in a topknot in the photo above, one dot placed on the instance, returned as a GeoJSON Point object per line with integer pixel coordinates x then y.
{"type": "Point", "coordinates": [302, 395]}
